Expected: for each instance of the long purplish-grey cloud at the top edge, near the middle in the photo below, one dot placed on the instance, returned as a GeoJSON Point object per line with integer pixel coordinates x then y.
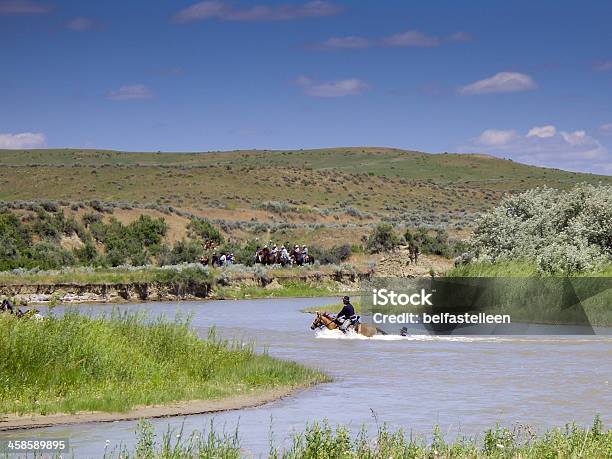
{"type": "Point", "coordinates": [215, 9]}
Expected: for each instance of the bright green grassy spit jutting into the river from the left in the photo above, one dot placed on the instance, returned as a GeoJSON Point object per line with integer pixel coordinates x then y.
{"type": "Point", "coordinates": [115, 363]}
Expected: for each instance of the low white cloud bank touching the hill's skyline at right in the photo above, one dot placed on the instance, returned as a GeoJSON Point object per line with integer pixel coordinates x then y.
{"type": "Point", "coordinates": [545, 146]}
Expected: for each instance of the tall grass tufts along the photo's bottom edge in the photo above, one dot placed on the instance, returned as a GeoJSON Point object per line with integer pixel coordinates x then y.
{"type": "Point", "coordinates": [321, 441]}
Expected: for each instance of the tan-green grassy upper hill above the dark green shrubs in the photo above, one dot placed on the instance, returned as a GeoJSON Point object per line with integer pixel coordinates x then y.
{"type": "Point", "coordinates": [322, 194]}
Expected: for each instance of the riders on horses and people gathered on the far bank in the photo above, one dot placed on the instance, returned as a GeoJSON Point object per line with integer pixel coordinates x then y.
{"type": "Point", "coordinates": [269, 254]}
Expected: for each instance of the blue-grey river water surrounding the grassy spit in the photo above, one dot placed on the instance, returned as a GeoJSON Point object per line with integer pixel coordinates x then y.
{"type": "Point", "coordinates": [465, 384]}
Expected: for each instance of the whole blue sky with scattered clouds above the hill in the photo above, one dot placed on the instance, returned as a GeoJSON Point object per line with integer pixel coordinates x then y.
{"type": "Point", "coordinates": [526, 80]}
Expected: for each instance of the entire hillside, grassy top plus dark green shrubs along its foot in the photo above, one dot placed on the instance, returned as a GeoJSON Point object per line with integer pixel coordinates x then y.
{"type": "Point", "coordinates": [107, 208]}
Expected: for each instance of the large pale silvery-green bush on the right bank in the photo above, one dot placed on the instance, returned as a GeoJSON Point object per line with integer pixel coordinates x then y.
{"type": "Point", "coordinates": [562, 231]}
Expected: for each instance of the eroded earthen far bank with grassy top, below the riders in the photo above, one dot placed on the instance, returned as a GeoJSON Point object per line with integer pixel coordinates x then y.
{"type": "Point", "coordinates": [180, 283]}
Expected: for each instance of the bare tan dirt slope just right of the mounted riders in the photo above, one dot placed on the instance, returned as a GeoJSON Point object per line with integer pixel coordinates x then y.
{"type": "Point", "coordinates": [398, 264]}
